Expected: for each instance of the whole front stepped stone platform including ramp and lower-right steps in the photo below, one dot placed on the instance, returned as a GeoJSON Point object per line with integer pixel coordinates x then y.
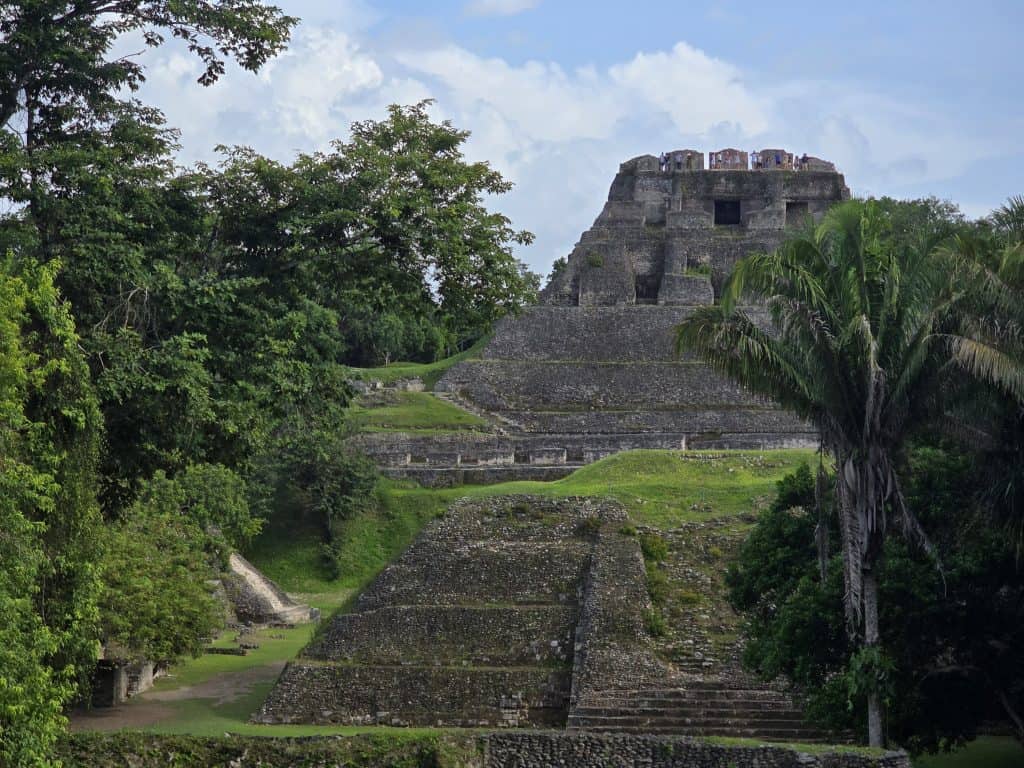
{"type": "Point", "coordinates": [521, 612]}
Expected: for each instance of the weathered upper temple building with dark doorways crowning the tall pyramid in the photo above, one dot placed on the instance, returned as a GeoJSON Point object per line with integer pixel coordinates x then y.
{"type": "Point", "coordinates": [659, 227]}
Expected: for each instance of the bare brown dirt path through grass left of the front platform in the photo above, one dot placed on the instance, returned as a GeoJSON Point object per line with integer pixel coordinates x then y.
{"type": "Point", "coordinates": [152, 708]}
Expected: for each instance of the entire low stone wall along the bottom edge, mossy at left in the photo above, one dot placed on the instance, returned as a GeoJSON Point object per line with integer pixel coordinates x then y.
{"type": "Point", "coordinates": [504, 750]}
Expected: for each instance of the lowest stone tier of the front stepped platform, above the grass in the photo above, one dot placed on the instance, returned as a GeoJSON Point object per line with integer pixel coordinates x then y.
{"type": "Point", "coordinates": [418, 696]}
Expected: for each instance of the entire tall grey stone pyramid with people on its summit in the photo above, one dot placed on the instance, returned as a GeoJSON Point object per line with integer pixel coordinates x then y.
{"type": "Point", "coordinates": [593, 370]}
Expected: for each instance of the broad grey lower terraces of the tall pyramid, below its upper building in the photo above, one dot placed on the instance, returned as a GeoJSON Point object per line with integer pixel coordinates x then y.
{"type": "Point", "coordinates": [563, 388]}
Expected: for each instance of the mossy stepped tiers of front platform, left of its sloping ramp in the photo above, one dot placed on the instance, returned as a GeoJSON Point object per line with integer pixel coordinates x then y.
{"type": "Point", "coordinates": [473, 627]}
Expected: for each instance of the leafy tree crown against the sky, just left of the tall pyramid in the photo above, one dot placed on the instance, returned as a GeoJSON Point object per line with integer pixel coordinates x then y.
{"type": "Point", "coordinates": [388, 231]}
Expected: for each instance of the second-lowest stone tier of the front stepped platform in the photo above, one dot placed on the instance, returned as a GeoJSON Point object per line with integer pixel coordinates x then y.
{"type": "Point", "coordinates": [450, 635]}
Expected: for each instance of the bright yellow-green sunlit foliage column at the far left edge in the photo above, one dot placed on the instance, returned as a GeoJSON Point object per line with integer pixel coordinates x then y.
{"type": "Point", "coordinates": [50, 431]}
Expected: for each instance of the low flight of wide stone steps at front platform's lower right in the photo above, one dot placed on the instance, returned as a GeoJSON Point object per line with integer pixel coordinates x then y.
{"type": "Point", "coordinates": [702, 709]}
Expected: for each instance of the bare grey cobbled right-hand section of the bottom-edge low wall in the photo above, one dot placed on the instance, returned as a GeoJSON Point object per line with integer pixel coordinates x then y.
{"type": "Point", "coordinates": [595, 751]}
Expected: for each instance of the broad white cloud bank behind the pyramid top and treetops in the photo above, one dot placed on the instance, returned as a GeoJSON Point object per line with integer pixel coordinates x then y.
{"type": "Point", "coordinates": [559, 134]}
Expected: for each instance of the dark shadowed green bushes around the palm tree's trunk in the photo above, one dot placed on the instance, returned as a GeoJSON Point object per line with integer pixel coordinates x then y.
{"type": "Point", "coordinates": [951, 649]}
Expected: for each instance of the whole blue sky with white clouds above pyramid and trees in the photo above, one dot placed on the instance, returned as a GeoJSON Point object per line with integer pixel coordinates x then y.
{"type": "Point", "coordinates": [910, 99]}
